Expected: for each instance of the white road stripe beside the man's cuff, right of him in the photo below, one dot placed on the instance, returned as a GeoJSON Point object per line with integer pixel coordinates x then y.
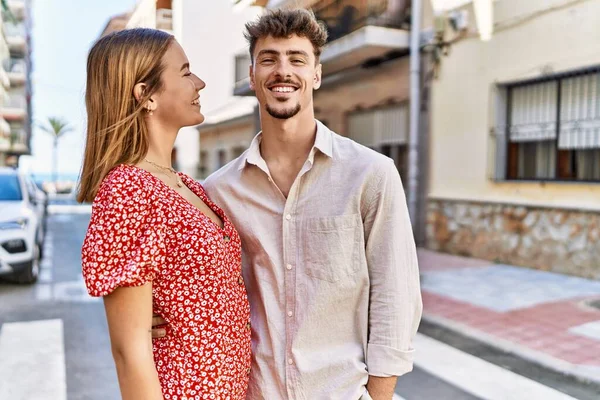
{"type": "Point", "coordinates": [476, 376]}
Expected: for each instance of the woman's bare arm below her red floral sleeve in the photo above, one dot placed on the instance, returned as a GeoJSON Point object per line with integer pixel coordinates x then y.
{"type": "Point", "coordinates": [129, 316]}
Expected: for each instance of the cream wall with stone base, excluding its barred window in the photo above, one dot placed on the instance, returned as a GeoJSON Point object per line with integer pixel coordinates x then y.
{"type": "Point", "coordinates": [532, 39]}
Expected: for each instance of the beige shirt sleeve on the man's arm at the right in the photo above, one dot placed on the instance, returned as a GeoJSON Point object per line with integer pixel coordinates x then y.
{"type": "Point", "coordinates": [395, 303]}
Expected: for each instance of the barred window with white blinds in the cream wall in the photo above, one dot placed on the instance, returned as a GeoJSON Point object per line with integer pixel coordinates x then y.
{"type": "Point", "coordinates": [551, 129]}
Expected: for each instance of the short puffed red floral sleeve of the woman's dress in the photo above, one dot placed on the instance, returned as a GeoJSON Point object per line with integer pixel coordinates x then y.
{"type": "Point", "coordinates": [125, 244]}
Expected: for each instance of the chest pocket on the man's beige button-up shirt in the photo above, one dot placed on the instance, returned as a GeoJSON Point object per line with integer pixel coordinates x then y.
{"type": "Point", "coordinates": [333, 247]}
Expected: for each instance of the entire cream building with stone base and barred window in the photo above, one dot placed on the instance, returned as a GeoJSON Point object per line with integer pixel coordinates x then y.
{"type": "Point", "coordinates": [515, 140]}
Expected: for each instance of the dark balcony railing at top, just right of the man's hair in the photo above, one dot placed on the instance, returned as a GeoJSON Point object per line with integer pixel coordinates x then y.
{"type": "Point", "coordinates": [345, 16]}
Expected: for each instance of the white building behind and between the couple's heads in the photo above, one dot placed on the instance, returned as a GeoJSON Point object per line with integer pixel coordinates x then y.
{"type": "Point", "coordinates": [209, 36]}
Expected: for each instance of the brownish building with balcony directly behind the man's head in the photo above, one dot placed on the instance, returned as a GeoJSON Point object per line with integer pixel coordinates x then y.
{"type": "Point", "coordinates": [365, 88]}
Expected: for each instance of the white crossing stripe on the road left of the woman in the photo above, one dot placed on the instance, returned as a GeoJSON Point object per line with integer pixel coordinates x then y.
{"type": "Point", "coordinates": [32, 361]}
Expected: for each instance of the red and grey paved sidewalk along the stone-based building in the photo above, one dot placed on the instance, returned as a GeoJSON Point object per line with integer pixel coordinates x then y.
{"type": "Point", "coordinates": [540, 316]}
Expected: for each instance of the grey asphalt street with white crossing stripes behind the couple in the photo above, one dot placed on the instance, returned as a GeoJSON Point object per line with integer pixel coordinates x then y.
{"type": "Point", "coordinates": [54, 344]}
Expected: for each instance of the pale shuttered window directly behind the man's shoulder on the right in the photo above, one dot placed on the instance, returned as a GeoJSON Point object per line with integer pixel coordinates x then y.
{"type": "Point", "coordinates": [384, 130]}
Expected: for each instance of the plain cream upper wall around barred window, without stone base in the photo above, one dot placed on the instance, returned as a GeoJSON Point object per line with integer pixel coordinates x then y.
{"type": "Point", "coordinates": [462, 101]}
